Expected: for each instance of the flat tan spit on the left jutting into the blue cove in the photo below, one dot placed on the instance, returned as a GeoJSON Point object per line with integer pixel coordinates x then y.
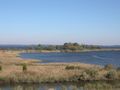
{"type": "Point", "coordinates": [12, 57]}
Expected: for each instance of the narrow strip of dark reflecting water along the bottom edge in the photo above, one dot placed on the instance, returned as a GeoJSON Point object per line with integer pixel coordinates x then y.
{"type": "Point", "coordinates": [65, 86]}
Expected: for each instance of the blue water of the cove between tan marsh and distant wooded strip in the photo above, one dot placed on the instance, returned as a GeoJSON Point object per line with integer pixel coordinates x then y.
{"type": "Point", "coordinates": [100, 58]}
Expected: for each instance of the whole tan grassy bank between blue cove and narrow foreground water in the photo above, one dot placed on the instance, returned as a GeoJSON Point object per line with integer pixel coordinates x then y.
{"type": "Point", "coordinates": [16, 70]}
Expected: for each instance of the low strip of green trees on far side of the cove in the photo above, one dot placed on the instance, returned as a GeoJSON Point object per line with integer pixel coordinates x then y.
{"type": "Point", "coordinates": [66, 47]}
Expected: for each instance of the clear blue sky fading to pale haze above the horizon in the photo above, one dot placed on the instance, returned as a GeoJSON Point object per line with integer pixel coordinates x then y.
{"type": "Point", "coordinates": [59, 21]}
